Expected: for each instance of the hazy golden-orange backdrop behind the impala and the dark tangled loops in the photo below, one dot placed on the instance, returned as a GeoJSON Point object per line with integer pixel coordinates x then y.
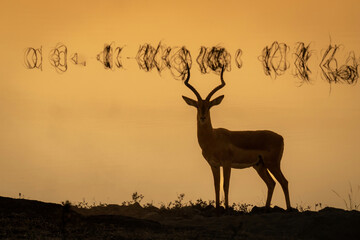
{"type": "Point", "coordinates": [101, 135]}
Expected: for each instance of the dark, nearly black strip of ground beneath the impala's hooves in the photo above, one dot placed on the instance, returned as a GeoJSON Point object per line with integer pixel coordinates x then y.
{"type": "Point", "coordinates": [27, 219]}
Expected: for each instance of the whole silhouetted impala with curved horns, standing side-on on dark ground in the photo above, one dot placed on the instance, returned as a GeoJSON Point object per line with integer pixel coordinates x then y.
{"type": "Point", "coordinates": [261, 150]}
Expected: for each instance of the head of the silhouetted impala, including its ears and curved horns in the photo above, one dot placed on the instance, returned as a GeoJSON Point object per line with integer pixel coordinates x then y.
{"type": "Point", "coordinates": [203, 105]}
